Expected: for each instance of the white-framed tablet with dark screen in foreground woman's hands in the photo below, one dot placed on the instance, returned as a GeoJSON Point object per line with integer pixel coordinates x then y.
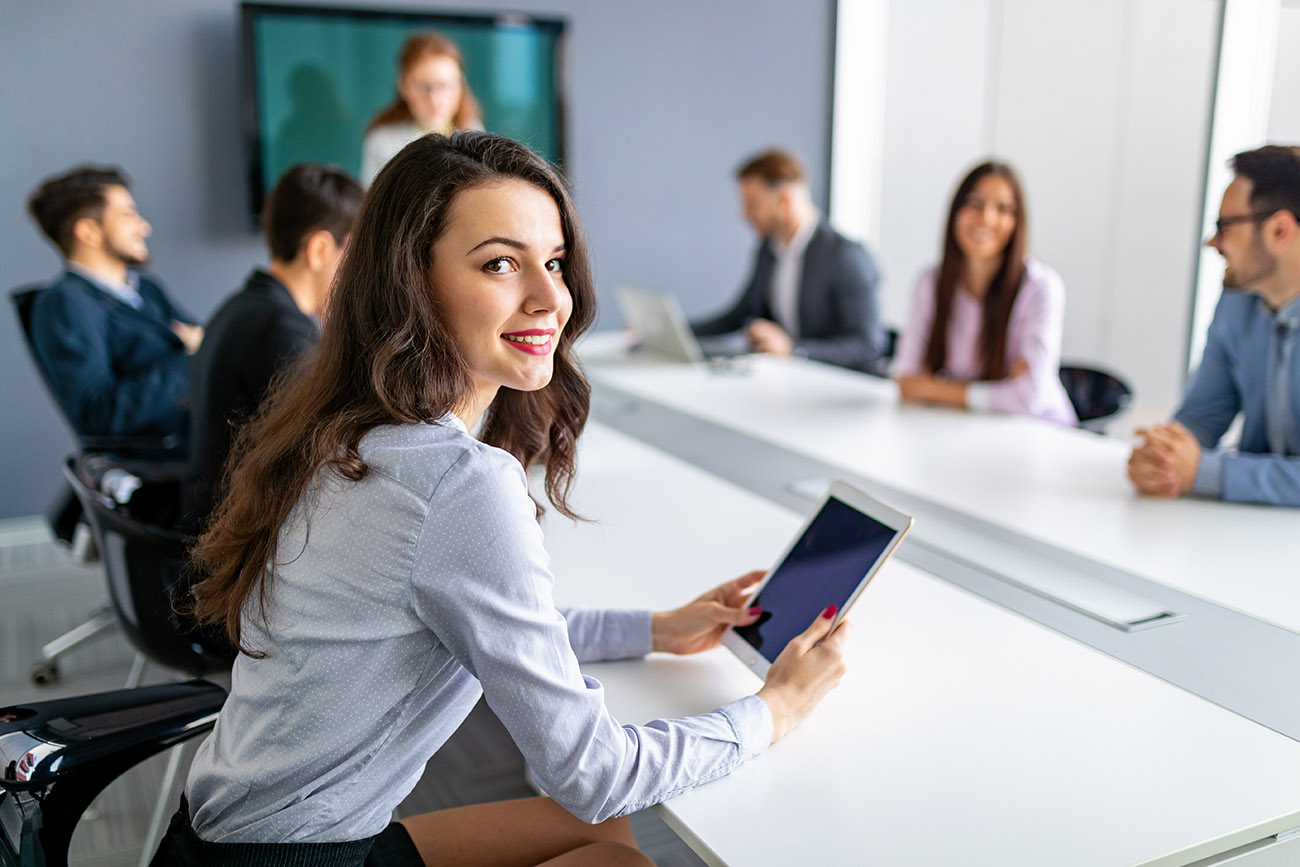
{"type": "Point", "coordinates": [834, 557]}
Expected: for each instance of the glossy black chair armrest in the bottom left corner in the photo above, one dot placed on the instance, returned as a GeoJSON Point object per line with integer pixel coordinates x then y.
{"type": "Point", "coordinates": [57, 757]}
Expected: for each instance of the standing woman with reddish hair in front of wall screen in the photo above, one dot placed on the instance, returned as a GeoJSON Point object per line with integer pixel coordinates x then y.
{"type": "Point", "coordinates": [434, 97]}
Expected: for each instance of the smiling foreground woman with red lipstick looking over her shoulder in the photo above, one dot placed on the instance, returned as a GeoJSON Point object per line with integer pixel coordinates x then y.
{"type": "Point", "coordinates": [380, 567]}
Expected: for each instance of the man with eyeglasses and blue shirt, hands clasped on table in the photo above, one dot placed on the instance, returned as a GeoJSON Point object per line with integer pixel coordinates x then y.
{"type": "Point", "coordinates": [1251, 362]}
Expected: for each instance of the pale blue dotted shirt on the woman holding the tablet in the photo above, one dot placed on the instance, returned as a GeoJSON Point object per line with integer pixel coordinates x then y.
{"type": "Point", "coordinates": [421, 588]}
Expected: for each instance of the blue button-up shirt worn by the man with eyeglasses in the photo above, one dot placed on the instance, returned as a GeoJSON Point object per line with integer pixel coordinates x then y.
{"type": "Point", "coordinates": [1251, 366]}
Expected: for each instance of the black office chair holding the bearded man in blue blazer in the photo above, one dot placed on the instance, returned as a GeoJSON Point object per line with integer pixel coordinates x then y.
{"type": "Point", "coordinates": [151, 456]}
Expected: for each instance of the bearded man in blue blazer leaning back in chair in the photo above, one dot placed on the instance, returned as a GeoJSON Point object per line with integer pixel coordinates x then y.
{"type": "Point", "coordinates": [112, 346]}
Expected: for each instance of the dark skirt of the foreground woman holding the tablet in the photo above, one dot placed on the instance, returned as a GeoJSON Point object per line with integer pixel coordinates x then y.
{"type": "Point", "coordinates": [183, 847]}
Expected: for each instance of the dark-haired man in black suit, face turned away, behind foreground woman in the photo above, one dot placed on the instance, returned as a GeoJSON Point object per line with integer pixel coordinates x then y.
{"type": "Point", "coordinates": [271, 323]}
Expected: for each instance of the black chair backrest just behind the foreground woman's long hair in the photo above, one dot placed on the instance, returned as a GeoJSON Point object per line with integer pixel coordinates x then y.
{"type": "Point", "coordinates": [148, 573]}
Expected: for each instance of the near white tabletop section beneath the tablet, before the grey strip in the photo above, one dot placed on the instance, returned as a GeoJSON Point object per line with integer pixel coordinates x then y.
{"type": "Point", "coordinates": [963, 735]}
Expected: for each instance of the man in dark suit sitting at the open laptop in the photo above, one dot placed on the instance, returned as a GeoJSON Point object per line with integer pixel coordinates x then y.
{"type": "Point", "coordinates": [813, 292]}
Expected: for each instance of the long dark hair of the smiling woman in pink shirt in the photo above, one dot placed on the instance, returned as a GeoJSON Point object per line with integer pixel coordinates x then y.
{"type": "Point", "coordinates": [1002, 293]}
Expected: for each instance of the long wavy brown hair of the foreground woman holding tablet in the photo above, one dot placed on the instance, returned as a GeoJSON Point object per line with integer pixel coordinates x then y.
{"type": "Point", "coordinates": [387, 357]}
